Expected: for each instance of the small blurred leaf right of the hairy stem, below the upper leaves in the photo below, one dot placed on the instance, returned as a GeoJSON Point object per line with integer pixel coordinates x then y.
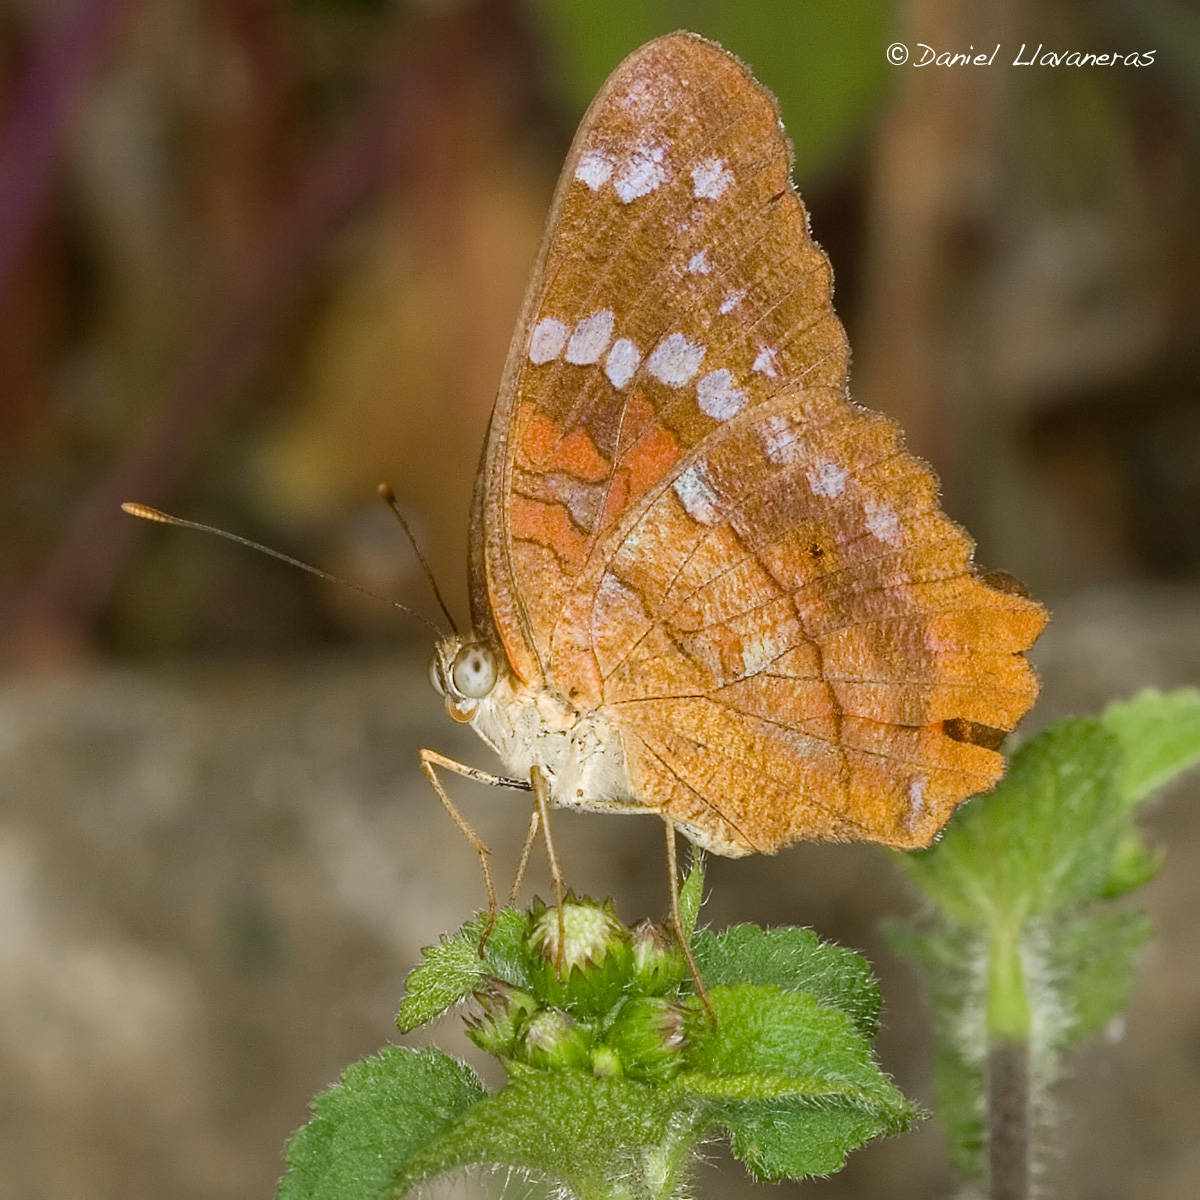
{"type": "Point", "coordinates": [1096, 964]}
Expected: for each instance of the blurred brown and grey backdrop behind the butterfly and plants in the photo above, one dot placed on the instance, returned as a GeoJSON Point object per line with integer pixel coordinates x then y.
{"type": "Point", "coordinates": [257, 256]}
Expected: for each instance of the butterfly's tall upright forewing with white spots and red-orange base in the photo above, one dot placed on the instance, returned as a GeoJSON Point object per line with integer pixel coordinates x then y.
{"type": "Point", "coordinates": [677, 260]}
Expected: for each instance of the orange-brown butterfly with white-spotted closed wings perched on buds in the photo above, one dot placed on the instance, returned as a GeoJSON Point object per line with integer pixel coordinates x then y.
{"type": "Point", "coordinates": [704, 584]}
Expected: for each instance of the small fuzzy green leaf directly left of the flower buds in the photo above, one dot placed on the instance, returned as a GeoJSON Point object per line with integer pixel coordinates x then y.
{"type": "Point", "coordinates": [454, 969]}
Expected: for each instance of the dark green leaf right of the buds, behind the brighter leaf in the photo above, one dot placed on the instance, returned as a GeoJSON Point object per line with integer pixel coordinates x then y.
{"type": "Point", "coordinates": [793, 959]}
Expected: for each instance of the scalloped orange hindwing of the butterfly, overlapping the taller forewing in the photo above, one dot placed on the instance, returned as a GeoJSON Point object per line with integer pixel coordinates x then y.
{"type": "Point", "coordinates": [793, 653]}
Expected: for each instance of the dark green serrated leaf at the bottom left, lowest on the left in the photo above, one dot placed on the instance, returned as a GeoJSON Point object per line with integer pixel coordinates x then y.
{"type": "Point", "coordinates": [383, 1112]}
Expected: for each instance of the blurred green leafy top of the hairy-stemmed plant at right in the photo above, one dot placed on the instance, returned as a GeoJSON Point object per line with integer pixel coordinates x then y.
{"type": "Point", "coordinates": [1019, 944]}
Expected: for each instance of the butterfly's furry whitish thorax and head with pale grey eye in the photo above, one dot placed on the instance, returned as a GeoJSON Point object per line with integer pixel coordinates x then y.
{"type": "Point", "coordinates": [579, 751]}
